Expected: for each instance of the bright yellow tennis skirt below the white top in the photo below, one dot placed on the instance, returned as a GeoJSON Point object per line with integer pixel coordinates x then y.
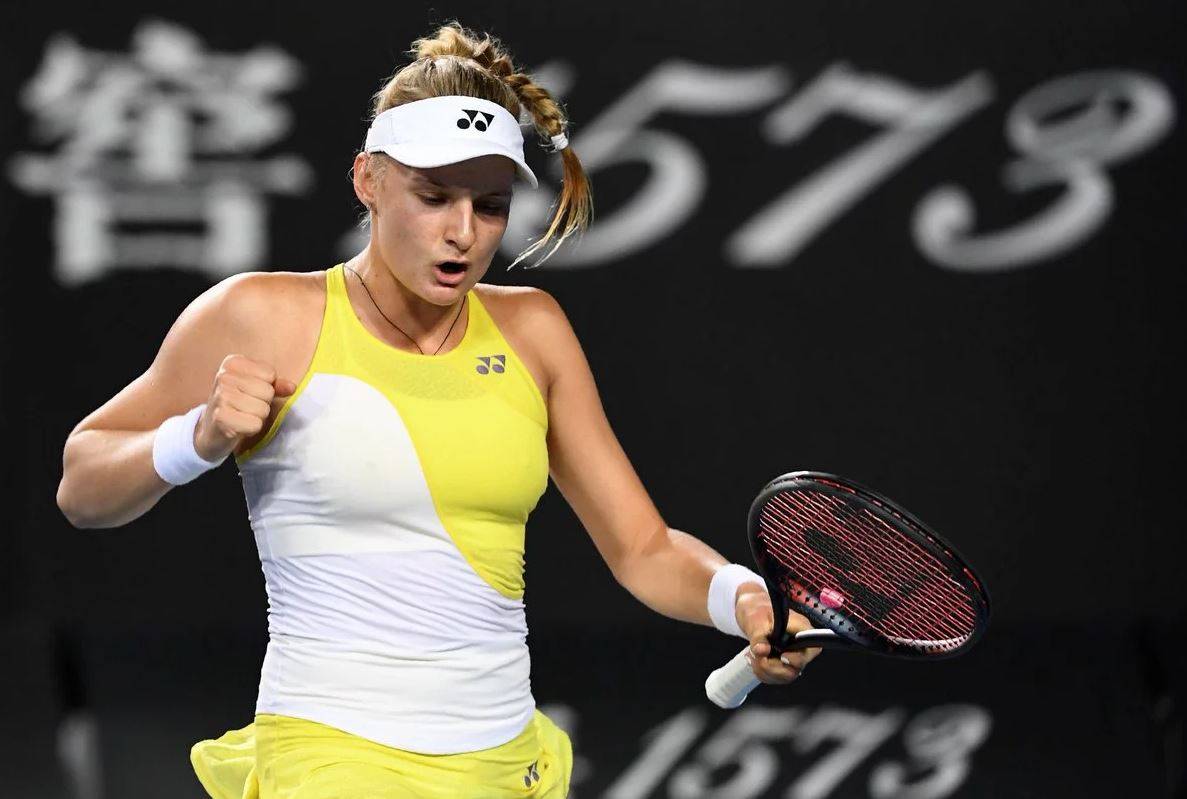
{"type": "Point", "coordinates": [287, 758]}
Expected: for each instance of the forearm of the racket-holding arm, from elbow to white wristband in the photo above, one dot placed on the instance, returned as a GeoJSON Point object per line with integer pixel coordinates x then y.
{"type": "Point", "coordinates": [671, 575]}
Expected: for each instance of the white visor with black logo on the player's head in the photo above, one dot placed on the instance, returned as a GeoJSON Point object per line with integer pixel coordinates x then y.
{"type": "Point", "coordinates": [440, 131]}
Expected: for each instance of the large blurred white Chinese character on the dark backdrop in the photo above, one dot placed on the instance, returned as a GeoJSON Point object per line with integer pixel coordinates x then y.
{"type": "Point", "coordinates": [155, 153]}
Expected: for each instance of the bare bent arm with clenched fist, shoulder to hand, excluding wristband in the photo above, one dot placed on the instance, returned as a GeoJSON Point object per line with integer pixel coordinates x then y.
{"type": "Point", "coordinates": [109, 478]}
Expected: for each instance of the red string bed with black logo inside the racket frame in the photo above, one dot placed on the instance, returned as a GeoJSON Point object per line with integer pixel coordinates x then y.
{"type": "Point", "coordinates": [898, 589]}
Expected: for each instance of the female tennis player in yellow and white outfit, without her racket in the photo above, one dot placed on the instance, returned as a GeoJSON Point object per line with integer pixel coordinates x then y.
{"type": "Point", "coordinates": [395, 422]}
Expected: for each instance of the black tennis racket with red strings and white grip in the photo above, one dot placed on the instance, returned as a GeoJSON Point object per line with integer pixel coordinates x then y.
{"type": "Point", "coordinates": [867, 574]}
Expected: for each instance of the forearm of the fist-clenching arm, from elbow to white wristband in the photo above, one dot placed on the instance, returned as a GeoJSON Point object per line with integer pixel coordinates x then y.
{"type": "Point", "coordinates": [109, 478]}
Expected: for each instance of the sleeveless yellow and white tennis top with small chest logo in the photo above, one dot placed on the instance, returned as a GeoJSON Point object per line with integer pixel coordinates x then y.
{"type": "Point", "coordinates": [389, 503]}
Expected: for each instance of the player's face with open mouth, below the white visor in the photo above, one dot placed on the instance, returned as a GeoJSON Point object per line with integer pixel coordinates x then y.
{"type": "Point", "coordinates": [426, 217]}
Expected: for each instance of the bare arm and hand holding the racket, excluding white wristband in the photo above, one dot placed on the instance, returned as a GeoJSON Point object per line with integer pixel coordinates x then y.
{"type": "Point", "coordinates": [669, 570]}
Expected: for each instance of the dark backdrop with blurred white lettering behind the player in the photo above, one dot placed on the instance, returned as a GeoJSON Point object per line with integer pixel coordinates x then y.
{"type": "Point", "coordinates": [934, 248]}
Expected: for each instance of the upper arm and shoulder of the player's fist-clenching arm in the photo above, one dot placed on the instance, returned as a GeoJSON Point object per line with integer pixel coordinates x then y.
{"type": "Point", "coordinates": [183, 372]}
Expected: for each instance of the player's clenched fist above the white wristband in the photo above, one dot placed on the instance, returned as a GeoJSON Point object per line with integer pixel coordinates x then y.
{"type": "Point", "coordinates": [239, 405]}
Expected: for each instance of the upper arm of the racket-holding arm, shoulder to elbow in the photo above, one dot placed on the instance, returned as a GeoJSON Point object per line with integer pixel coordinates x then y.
{"type": "Point", "coordinates": [587, 462]}
